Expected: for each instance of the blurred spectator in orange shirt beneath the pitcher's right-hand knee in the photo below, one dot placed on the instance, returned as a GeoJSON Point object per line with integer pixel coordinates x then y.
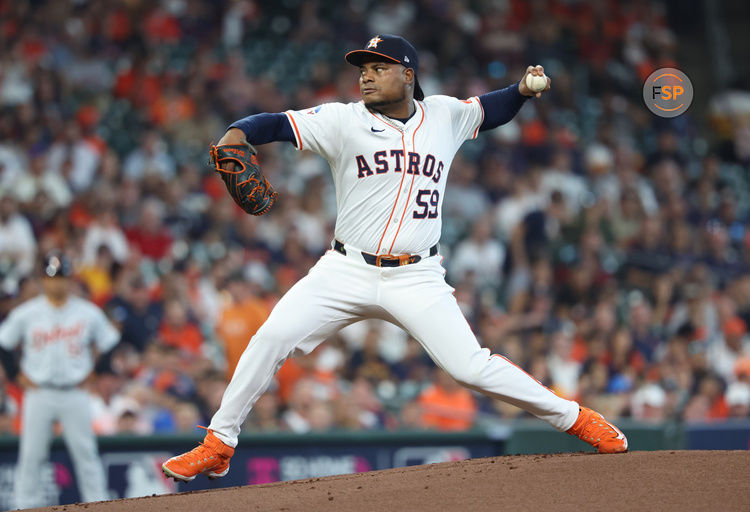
{"type": "Point", "coordinates": [446, 405]}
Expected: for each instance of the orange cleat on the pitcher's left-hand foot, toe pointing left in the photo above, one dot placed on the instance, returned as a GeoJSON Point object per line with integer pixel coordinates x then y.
{"type": "Point", "coordinates": [211, 457]}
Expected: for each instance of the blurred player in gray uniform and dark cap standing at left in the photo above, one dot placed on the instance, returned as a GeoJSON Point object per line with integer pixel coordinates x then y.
{"type": "Point", "coordinates": [60, 336]}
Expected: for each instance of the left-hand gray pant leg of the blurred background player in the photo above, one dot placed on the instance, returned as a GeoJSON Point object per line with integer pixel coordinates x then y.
{"type": "Point", "coordinates": [37, 420]}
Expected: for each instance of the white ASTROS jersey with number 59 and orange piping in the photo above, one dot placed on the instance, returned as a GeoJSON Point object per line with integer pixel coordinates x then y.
{"type": "Point", "coordinates": [390, 177]}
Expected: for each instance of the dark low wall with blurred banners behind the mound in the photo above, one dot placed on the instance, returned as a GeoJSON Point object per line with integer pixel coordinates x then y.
{"type": "Point", "coordinates": [132, 464]}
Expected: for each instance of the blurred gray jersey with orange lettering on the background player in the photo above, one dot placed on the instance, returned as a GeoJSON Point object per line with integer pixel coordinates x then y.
{"type": "Point", "coordinates": [57, 341]}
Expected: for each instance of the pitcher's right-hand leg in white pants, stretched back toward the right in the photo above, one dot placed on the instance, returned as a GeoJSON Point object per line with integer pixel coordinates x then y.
{"type": "Point", "coordinates": [430, 313]}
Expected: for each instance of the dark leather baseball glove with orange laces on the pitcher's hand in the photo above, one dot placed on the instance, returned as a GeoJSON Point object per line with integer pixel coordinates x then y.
{"type": "Point", "coordinates": [245, 183]}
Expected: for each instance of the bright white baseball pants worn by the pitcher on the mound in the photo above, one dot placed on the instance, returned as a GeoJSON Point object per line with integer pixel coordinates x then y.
{"type": "Point", "coordinates": [342, 289]}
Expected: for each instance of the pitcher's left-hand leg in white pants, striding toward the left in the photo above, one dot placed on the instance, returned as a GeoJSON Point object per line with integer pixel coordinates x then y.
{"type": "Point", "coordinates": [315, 308]}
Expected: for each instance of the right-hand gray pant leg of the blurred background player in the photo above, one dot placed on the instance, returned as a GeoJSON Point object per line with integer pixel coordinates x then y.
{"type": "Point", "coordinates": [81, 443]}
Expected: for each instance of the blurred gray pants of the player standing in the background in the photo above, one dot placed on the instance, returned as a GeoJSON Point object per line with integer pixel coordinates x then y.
{"type": "Point", "coordinates": [41, 408]}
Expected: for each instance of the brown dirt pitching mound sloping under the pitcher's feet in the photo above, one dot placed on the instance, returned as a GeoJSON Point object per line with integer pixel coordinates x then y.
{"type": "Point", "coordinates": [664, 481]}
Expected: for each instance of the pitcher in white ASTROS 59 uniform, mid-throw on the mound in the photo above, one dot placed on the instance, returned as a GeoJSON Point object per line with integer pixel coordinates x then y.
{"type": "Point", "coordinates": [390, 155]}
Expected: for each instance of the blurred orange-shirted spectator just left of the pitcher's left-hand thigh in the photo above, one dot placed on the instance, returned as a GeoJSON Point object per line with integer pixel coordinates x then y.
{"type": "Point", "coordinates": [240, 320]}
